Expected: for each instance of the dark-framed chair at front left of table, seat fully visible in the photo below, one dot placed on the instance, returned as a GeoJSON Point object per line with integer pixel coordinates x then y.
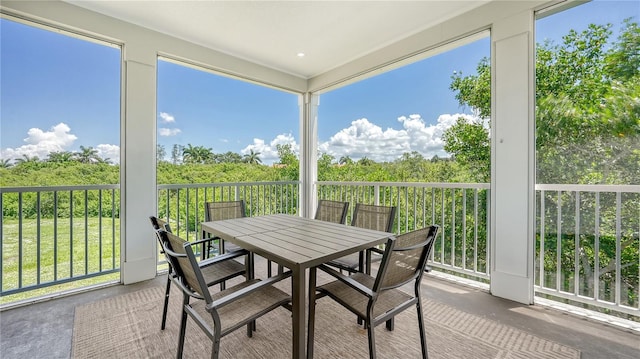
{"type": "Point", "coordinates": [221, 313]}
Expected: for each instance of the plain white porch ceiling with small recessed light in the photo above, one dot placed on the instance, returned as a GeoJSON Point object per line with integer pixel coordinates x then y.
{"type": "Point", "coordinates": [272, 33]}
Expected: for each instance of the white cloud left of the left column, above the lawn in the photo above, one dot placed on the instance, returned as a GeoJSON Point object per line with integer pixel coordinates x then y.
{"type": "Point", "coordinates": [40, 143]}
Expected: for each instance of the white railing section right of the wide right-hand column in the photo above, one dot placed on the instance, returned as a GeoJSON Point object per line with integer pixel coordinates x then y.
{"type": "Point", "coordinates": [588, 245]}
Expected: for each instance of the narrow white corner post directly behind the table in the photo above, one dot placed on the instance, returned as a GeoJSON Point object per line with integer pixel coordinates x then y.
{"type": "Point", "coordinates": [308, 153]}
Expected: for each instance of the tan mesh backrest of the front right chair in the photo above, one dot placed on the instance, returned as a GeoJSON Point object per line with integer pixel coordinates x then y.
{"type": "Point", "coordinates": [405, 258]}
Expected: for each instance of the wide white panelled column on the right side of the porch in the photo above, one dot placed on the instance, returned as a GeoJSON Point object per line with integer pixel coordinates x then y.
{"type": "Point", "coordinates": [513, 158]}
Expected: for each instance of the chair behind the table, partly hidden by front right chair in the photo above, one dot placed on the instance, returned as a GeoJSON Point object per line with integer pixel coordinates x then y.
{"type": "Point", "coordinates": [379, 218]}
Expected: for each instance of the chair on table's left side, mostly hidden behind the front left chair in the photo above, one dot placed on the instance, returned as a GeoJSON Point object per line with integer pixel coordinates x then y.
{"type": "Point", "coordinates": [214, 272]}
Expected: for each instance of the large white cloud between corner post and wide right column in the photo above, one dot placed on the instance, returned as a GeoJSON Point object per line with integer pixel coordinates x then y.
{"type": "Point", "coordinates": [365, 139]}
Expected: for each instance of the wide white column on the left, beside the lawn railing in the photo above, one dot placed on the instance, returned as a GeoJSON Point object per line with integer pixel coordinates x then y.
{"type": "Point", "coordinates": [138, 164]}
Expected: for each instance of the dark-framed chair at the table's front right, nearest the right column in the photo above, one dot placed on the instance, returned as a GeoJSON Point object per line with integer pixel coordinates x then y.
{"type": "Point", "coordinates": [378, 299]}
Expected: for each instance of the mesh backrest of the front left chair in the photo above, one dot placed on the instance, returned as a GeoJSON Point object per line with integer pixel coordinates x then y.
{"type": "Point", "coordinates": [184, 263]}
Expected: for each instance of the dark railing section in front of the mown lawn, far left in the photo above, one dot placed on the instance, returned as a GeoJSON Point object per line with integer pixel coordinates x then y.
{"type": "Point", "coordinates": [56, 235]}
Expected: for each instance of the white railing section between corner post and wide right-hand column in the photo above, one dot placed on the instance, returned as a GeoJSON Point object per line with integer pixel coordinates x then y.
{"type": "Point", "coordinates": [460, 209]}
